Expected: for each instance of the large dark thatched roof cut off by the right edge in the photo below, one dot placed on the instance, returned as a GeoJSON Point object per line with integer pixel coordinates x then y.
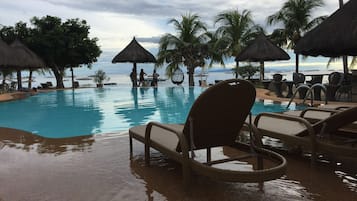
{"type": "Point", "coordinates": [335, 36]}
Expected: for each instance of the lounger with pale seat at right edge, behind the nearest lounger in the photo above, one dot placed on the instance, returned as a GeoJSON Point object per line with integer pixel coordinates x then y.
{"type": "Point", "coordinates": [325, 136]}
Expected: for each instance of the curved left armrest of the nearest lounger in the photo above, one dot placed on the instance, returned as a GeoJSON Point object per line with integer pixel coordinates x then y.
{"type": "Point", "coordinates": [178, 133]}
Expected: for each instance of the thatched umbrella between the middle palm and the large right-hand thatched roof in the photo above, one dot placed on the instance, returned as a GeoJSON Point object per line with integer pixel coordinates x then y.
{"type": "Point", "coordinates": [260, 50]}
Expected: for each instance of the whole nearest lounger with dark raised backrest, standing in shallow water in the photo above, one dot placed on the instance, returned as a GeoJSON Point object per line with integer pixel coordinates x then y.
{"type": "Point", "coordinates": [215, 120]}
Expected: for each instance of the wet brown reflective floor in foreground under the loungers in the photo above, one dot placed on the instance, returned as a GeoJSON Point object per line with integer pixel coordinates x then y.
{"type": "Point", "coordinates": [99, 168]}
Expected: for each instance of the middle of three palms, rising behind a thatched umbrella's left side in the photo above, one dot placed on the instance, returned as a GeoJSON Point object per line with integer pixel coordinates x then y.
{"type": "Point", "coordinates": [235, 31]}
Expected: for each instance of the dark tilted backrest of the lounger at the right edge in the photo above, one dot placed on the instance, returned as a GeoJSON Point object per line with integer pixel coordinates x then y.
{"type": "Point", "coordinates": [338, 120]}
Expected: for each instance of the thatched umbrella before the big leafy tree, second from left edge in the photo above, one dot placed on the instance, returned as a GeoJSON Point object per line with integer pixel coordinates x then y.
{"type": "Point", "coordinates": [26, 59]}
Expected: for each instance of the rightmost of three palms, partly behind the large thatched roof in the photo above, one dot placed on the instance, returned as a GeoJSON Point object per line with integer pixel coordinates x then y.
{"type": "Point", "coordinates": [296, 18]}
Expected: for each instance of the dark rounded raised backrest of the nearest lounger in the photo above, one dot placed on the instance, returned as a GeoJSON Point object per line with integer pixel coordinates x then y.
{"type": "Point", "coordinates": [218, 113]}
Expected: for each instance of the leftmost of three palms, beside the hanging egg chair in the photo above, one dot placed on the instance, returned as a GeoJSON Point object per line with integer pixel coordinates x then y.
{"type": "Point", "coordinates": [187, 48]}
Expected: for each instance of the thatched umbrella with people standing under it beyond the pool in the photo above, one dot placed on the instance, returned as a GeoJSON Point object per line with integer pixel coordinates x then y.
{"type": "Point", "coordinates": [134, 53]}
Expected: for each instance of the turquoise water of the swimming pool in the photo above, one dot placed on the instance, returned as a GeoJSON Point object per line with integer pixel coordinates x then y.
{"type": "Point", "coordinates": [67, 113]}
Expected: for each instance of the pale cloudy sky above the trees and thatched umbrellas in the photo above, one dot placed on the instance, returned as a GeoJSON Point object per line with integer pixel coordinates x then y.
{"type": "Point", "coordinates": [115, 22]}
